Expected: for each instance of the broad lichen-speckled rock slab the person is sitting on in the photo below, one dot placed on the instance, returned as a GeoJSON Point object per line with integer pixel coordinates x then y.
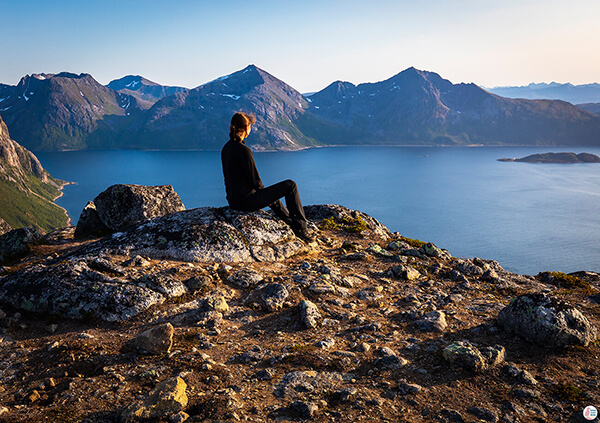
{"type": "Point", "coordinates": [207, 234]}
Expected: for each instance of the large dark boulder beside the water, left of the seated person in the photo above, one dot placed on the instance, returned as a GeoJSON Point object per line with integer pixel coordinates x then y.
{"type": "Point", "coordinates": [120, 206]}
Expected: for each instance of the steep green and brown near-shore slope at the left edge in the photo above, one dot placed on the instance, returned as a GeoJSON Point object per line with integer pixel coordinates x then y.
{"type": "Point", "coordinates": [27, 191]}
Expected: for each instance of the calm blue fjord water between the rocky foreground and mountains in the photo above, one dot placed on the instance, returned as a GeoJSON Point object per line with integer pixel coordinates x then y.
{"type": "Point", "coordinates": [529, 217]}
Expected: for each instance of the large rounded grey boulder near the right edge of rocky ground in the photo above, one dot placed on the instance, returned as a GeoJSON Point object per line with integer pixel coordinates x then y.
{"type": "Point", "coordinates": [546, 321]}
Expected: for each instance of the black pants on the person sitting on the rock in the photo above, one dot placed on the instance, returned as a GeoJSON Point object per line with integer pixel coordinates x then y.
{"type": "Point", "coordinates": [270, 196]}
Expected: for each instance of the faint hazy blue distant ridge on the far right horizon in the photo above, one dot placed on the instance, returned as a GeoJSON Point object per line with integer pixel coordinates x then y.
{"type": "Point", "coordinates": [575, 94]}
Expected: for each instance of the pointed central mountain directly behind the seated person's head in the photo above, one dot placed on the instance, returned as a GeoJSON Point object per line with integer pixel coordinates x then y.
{"type": "Point", "coordinates": [199, 118]}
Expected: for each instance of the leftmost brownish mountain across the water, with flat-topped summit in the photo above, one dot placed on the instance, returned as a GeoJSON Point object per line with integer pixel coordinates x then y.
{"type": "Point", "coordinates": [64, 111]}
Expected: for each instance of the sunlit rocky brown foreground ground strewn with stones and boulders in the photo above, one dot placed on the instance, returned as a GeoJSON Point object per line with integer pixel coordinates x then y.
{"type": "Point", "coordinates": [212, 315]}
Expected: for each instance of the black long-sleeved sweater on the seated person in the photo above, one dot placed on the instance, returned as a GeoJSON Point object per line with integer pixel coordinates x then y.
{"type": "Point", "coordinates": [239, 171]}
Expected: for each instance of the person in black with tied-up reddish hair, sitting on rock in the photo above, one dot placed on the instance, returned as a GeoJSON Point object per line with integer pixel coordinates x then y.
{"type": "Point", "coordinates": [245, 190]}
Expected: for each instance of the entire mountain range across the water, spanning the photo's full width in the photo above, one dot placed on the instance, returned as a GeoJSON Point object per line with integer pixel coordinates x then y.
{"type": "Point", "coordinates": [68, 111]}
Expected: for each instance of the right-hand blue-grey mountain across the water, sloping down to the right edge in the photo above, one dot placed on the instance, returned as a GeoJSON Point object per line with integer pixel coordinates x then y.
{"type": "Point", "coordinates": [418, 107]}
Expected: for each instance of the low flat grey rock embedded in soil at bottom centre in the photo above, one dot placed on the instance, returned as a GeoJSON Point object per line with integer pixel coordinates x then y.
{"type": "Point", "coordinates": [296, 385]}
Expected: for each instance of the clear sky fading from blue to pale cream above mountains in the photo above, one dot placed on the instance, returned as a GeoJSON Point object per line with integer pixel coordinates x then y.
{"type": "Point", "coordinates": [308, 43]}
